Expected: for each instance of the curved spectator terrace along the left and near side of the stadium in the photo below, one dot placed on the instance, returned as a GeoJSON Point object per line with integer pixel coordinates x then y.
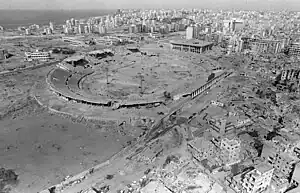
{"type": "Point", "coordinates": [67, 83]}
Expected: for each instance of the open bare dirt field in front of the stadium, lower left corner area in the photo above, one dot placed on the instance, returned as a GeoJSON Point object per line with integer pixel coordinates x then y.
{"type": "Point", "coordinates": [44, 148]}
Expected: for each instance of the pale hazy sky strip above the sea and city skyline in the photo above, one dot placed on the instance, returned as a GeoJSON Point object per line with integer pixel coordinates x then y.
{"type": "Point", "coordinates": [114, 4]}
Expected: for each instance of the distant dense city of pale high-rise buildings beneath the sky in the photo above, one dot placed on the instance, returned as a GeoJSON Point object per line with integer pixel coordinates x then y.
{"type": "Point", "coordinates": [238, 31]}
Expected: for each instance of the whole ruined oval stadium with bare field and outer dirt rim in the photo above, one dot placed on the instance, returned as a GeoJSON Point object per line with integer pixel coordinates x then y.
{"type": "Point", "coordinates": [128, 86]}
